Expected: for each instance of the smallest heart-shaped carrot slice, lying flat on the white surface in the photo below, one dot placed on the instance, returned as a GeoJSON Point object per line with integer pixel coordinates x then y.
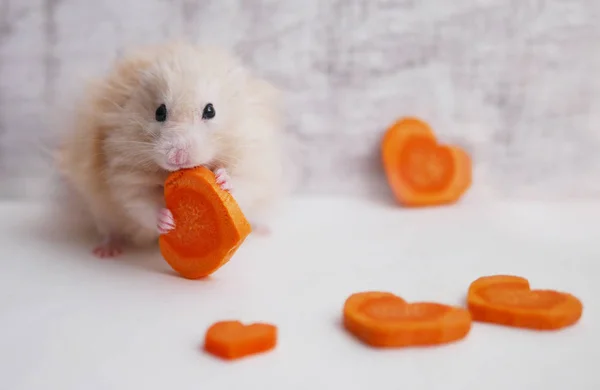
{"type": "Point", "coordinates": [233, 340]}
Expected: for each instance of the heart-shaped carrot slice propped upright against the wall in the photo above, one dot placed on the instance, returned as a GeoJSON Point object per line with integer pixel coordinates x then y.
{"type": "Point", "coordinates": [421, 172]}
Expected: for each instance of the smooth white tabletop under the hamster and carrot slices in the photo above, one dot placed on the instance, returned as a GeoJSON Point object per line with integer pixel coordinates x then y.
{"type": "Point", "coordinates": [69, 321]}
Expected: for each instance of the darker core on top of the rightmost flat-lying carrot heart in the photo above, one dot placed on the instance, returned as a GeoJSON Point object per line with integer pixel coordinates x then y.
{"type": "Point", "coordinates": [524, 298]}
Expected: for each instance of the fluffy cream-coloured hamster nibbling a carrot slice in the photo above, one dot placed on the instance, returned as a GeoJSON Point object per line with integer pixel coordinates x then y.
{"type": "Point", "coordinates": [162, 108]}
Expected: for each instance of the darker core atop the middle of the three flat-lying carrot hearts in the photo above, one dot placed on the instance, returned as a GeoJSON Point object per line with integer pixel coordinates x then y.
{"type": "Point", "coordinates": [391, 309]}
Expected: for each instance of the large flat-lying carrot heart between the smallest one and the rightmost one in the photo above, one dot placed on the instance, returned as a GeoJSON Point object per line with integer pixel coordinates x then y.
{"type": "Point", "coordinates": [382, 319]}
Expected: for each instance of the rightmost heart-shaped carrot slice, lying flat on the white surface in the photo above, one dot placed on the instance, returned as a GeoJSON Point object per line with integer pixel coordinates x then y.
{"type": "Point", "coordinates": [508, 300]}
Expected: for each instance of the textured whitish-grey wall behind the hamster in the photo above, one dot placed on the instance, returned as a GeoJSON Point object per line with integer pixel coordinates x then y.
{"type": "Point", "coordinates": [512, 80]}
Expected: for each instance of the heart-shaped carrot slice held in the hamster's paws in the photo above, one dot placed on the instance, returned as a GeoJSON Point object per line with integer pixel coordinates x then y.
{"type": "Point", "coordinates": [209, 225]}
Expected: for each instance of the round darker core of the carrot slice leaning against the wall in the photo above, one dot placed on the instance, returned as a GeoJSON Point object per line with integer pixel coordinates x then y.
{"type": "Point", "coordinates": [427, 166]}
